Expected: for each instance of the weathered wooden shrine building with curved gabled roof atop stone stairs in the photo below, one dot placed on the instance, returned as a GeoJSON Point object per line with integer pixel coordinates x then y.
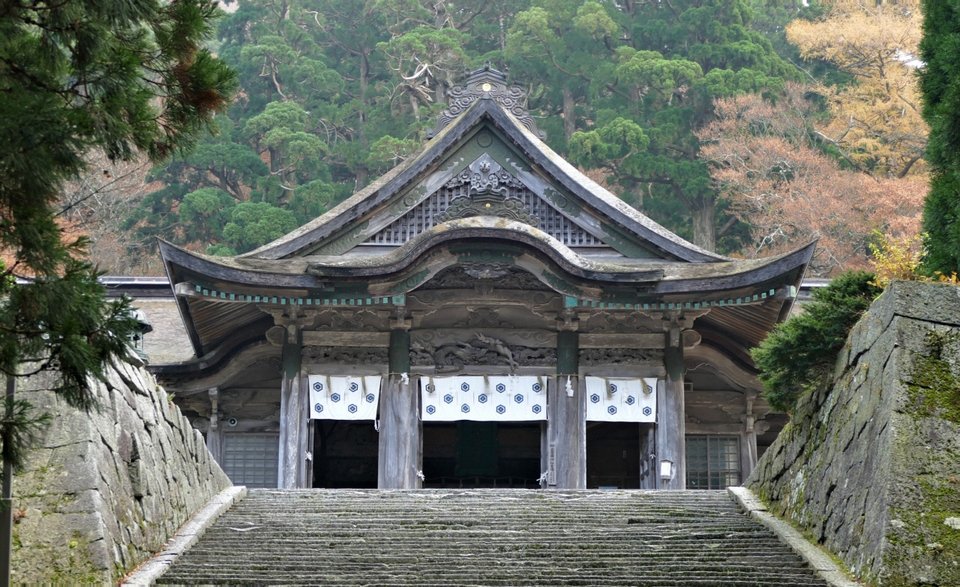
{"type": "Point", "coordinates": [483, 315]}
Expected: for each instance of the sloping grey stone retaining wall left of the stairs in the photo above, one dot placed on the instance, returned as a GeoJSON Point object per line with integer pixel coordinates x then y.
{"type": "Point", "coordinates": [106, 490]}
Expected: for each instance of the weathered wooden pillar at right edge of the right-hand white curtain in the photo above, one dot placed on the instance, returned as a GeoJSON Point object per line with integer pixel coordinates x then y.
{"type": "Point", "coordinates": [671, 427]}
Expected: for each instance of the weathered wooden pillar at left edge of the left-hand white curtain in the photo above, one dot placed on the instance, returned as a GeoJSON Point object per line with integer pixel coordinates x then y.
{"type": "Point", "coordinates": [293, 414]}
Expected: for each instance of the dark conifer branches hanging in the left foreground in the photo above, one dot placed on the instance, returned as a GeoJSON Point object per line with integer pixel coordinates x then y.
{"type": "Point", "coordinates": [78, 77]}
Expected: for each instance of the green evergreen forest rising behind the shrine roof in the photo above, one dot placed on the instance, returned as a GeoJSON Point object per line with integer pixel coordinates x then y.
{"type": "Point", "coordinates": [335, 93]}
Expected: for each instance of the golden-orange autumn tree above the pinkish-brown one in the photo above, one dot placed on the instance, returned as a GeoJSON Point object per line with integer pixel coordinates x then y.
{"type": "Point", "coordinates": [875, 119]}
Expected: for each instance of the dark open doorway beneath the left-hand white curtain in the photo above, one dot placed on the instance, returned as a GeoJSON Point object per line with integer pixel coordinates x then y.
{"type": "Point", "coordinates": [345, 454]}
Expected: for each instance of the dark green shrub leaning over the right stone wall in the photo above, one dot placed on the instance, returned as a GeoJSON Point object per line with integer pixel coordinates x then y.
{"type": "Point", "coordinates": [799, 354]}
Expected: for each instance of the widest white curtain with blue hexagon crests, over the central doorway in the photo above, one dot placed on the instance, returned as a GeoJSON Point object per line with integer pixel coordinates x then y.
{"type": "Point", "coordinates": [483, 398]}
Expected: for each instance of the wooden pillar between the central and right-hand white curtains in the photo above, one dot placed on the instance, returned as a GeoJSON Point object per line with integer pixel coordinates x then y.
{"type": "Point", "coordinates": [566, 457]}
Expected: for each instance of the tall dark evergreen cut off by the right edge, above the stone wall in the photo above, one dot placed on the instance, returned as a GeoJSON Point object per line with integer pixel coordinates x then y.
{"type": "Point", "coordinates": [940, 84]}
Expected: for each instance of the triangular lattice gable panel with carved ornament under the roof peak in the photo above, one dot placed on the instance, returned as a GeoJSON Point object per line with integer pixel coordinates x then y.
{"type": "Point", "coordinates": [501, 194]}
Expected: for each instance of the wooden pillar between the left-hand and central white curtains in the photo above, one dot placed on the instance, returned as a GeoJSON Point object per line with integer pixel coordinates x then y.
{"type": "Point", "coordinates": [399, 454]}
